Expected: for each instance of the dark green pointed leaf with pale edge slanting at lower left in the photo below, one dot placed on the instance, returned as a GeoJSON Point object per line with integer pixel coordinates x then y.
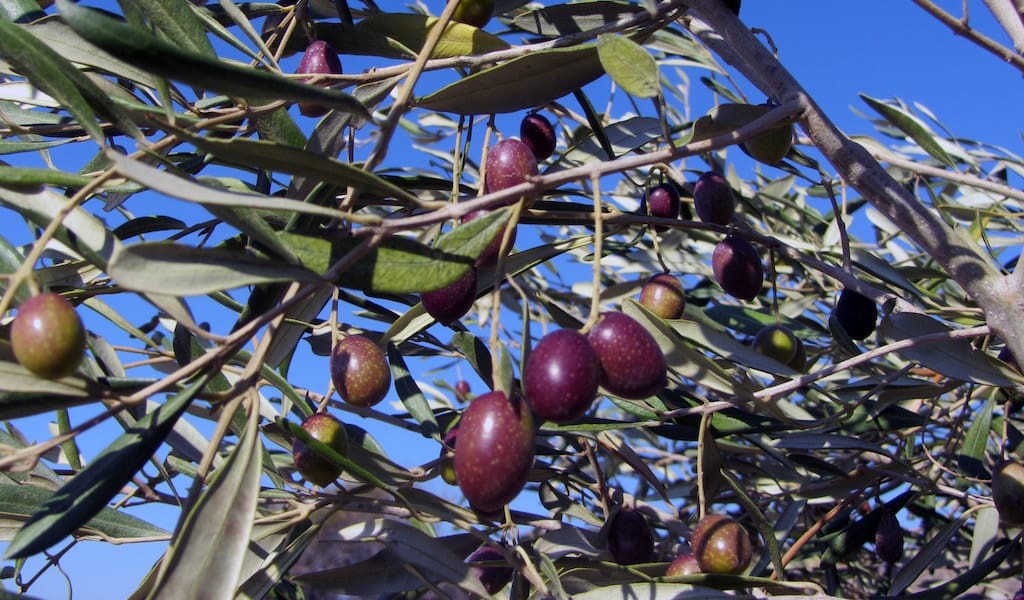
{"type": "Point", "coordinates": [86, 495]}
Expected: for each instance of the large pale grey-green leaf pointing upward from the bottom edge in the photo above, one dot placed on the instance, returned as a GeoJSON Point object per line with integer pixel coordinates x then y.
{"type": "Point", "coordinates": [206, 559]}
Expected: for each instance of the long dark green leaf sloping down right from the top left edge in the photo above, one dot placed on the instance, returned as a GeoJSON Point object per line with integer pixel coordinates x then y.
{"type": "Point", "coordinates": [150, 53]}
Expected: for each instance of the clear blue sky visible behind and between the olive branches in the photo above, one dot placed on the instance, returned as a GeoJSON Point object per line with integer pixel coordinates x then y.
{"type": "Point", "coordinates": [883, 49]}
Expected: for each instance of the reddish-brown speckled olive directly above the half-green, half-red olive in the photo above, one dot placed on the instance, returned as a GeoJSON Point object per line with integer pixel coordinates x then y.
{"type": "Point", "coordinates": [360, 371]}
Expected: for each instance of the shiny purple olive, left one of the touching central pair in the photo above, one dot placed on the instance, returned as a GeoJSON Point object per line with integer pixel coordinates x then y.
{"type": "Point", "coordinates": [562, 376]}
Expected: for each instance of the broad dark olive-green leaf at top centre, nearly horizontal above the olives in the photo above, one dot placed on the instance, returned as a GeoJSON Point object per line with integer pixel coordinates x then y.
{"type": "Point", "coordinates": [523, 83]}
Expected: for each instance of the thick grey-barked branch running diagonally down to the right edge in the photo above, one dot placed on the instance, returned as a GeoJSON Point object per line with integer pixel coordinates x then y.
{"type": "Point", "coordinates": [959, 255]}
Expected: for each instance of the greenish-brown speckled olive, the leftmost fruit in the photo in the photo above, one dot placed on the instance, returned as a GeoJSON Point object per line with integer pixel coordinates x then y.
{"type": "Point", "coordinates": [48, 336]}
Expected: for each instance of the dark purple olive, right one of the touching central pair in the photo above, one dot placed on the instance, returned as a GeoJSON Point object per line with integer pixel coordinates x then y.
{"type": "Point", "coordinates": [632, 364]}
